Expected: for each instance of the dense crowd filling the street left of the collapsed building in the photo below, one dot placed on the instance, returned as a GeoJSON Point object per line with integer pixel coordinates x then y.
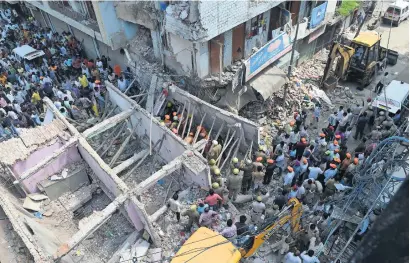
{"type": "Point", "coordinates": [62, 73]}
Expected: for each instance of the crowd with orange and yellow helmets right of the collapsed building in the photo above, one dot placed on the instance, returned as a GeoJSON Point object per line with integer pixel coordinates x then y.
{"type": "Point", "coordinates": [313, 168]}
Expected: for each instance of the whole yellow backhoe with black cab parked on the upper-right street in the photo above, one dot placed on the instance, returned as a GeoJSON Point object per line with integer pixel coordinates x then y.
{"type": "Point", "coordinates": [358, 61]}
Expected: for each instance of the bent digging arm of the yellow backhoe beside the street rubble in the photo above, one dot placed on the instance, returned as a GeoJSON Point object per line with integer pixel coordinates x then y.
{"type": "Point", "coordinates": [345, 53]}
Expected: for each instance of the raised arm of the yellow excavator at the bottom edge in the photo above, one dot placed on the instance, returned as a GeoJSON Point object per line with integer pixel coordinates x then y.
{"type": "Point", "coordinates": [293, 218]}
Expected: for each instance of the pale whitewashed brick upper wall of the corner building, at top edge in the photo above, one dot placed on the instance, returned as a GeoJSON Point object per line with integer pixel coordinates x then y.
{"type": "Point", "coordinates": [218, 17]}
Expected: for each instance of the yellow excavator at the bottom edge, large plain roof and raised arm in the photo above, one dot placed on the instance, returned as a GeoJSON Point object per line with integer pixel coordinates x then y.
{"type": "Point", "coordinates": [207, 246]}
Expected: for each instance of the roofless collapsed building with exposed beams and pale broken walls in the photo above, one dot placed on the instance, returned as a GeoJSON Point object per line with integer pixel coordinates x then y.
{"type": "Point", "coordinates": [89, 196]}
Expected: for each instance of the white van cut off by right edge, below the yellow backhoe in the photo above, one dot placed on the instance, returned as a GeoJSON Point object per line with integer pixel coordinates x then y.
{"type": "Point", "coordinates": [397, 95]}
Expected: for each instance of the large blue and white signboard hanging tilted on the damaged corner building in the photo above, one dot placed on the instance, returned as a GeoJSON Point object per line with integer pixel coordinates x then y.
{"type": "Point", "coordinates": [273, 50]}
